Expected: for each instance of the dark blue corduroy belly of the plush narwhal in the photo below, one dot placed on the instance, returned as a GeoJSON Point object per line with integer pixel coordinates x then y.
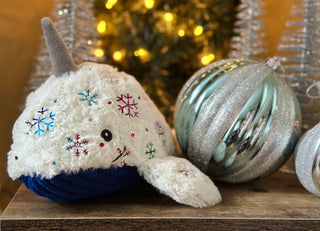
{"type": "Point", "coordinates": [86, 183]}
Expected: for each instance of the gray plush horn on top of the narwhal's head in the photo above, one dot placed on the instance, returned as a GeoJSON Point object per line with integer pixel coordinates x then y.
{"type": "Point", "coordinates": [60, 57]}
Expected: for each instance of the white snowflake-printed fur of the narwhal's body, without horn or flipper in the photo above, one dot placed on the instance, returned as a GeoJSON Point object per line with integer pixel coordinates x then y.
{"type": "Point", "coordinates": [47, 153]}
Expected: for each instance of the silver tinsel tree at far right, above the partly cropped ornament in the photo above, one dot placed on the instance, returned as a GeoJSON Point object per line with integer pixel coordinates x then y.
{"type": "Point", "coordinates": [299, 55]}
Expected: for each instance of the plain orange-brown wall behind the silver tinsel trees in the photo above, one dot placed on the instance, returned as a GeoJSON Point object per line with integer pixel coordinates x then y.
{"type": "Point", "coordinates": [19, 39]}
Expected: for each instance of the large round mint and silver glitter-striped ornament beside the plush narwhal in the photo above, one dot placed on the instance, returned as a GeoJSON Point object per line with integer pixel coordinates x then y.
{"type": "Point", "coordinates": [236, 120]}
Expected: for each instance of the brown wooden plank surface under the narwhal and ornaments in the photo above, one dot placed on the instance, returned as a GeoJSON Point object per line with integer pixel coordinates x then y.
{"type": "Point", "coordinates": [276, 203]}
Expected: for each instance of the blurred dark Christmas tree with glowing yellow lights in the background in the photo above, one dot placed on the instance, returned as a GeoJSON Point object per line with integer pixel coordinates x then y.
{"type": "Point", "coordinates": [162, 43]}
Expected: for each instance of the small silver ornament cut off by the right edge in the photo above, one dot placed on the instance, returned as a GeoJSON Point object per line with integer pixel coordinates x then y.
{"type": "Point", "coordinates": [307, 160]}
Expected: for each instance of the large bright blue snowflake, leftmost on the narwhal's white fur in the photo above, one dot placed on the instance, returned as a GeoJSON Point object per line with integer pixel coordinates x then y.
{"type": "Point", "coordinates": [43, 122]}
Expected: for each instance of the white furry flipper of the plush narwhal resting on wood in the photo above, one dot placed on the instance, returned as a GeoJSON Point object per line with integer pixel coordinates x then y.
{"type": "Point", "coordinates": [182, 181]}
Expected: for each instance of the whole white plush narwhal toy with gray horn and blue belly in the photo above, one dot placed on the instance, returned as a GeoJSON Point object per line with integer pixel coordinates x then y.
{"type": "Point", "coordinates": [90, 130]}
